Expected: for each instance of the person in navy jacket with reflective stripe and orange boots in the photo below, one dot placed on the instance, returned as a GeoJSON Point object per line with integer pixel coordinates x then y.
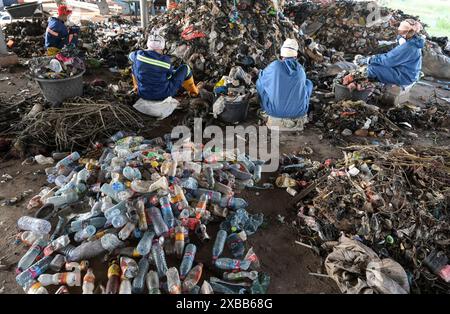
{"type": "Point", "coordinates": [153, 74]}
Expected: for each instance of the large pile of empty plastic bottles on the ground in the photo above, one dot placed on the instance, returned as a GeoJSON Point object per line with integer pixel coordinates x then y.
{"type": "Point", "coordinates": [139, 204]}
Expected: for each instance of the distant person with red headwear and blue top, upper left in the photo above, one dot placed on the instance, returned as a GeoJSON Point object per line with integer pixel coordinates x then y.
{"type": "Point", "coordinates": [58, 34]}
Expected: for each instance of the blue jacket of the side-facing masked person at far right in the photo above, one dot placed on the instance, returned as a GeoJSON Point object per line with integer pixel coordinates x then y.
{"type": "Point", "coordinates": [401, 65]}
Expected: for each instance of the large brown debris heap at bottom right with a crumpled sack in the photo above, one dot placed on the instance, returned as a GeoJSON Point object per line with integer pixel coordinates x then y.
{"type": "Point", "coordinates": [388, 209]}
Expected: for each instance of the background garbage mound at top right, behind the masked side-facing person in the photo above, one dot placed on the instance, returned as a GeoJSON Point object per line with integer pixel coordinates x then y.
{"type": "Point", "coordinates": [349, 26]}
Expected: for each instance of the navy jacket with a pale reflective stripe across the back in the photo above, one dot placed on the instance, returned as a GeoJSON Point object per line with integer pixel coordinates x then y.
{"type": "Point", "coordinates": [152, 72]}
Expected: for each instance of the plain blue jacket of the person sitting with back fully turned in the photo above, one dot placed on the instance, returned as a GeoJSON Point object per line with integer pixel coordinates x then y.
{"type": "Point", "coordinates": [284, 89]}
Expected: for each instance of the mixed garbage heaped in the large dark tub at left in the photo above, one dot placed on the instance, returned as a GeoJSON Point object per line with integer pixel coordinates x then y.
{"type": "Point", "coordinates": [65, 64]}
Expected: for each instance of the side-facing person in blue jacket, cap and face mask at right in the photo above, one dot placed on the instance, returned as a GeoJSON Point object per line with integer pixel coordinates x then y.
{"type": "Point", "coordinates": [402, 65]}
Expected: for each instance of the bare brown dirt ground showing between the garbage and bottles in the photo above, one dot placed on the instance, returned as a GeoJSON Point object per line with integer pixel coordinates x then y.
{"type": "Point", "coordinates": [288, 264]}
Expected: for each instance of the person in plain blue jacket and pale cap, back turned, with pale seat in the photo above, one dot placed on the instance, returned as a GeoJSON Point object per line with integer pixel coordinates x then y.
{"type": "Point", "coordinates": [284, 90]}
